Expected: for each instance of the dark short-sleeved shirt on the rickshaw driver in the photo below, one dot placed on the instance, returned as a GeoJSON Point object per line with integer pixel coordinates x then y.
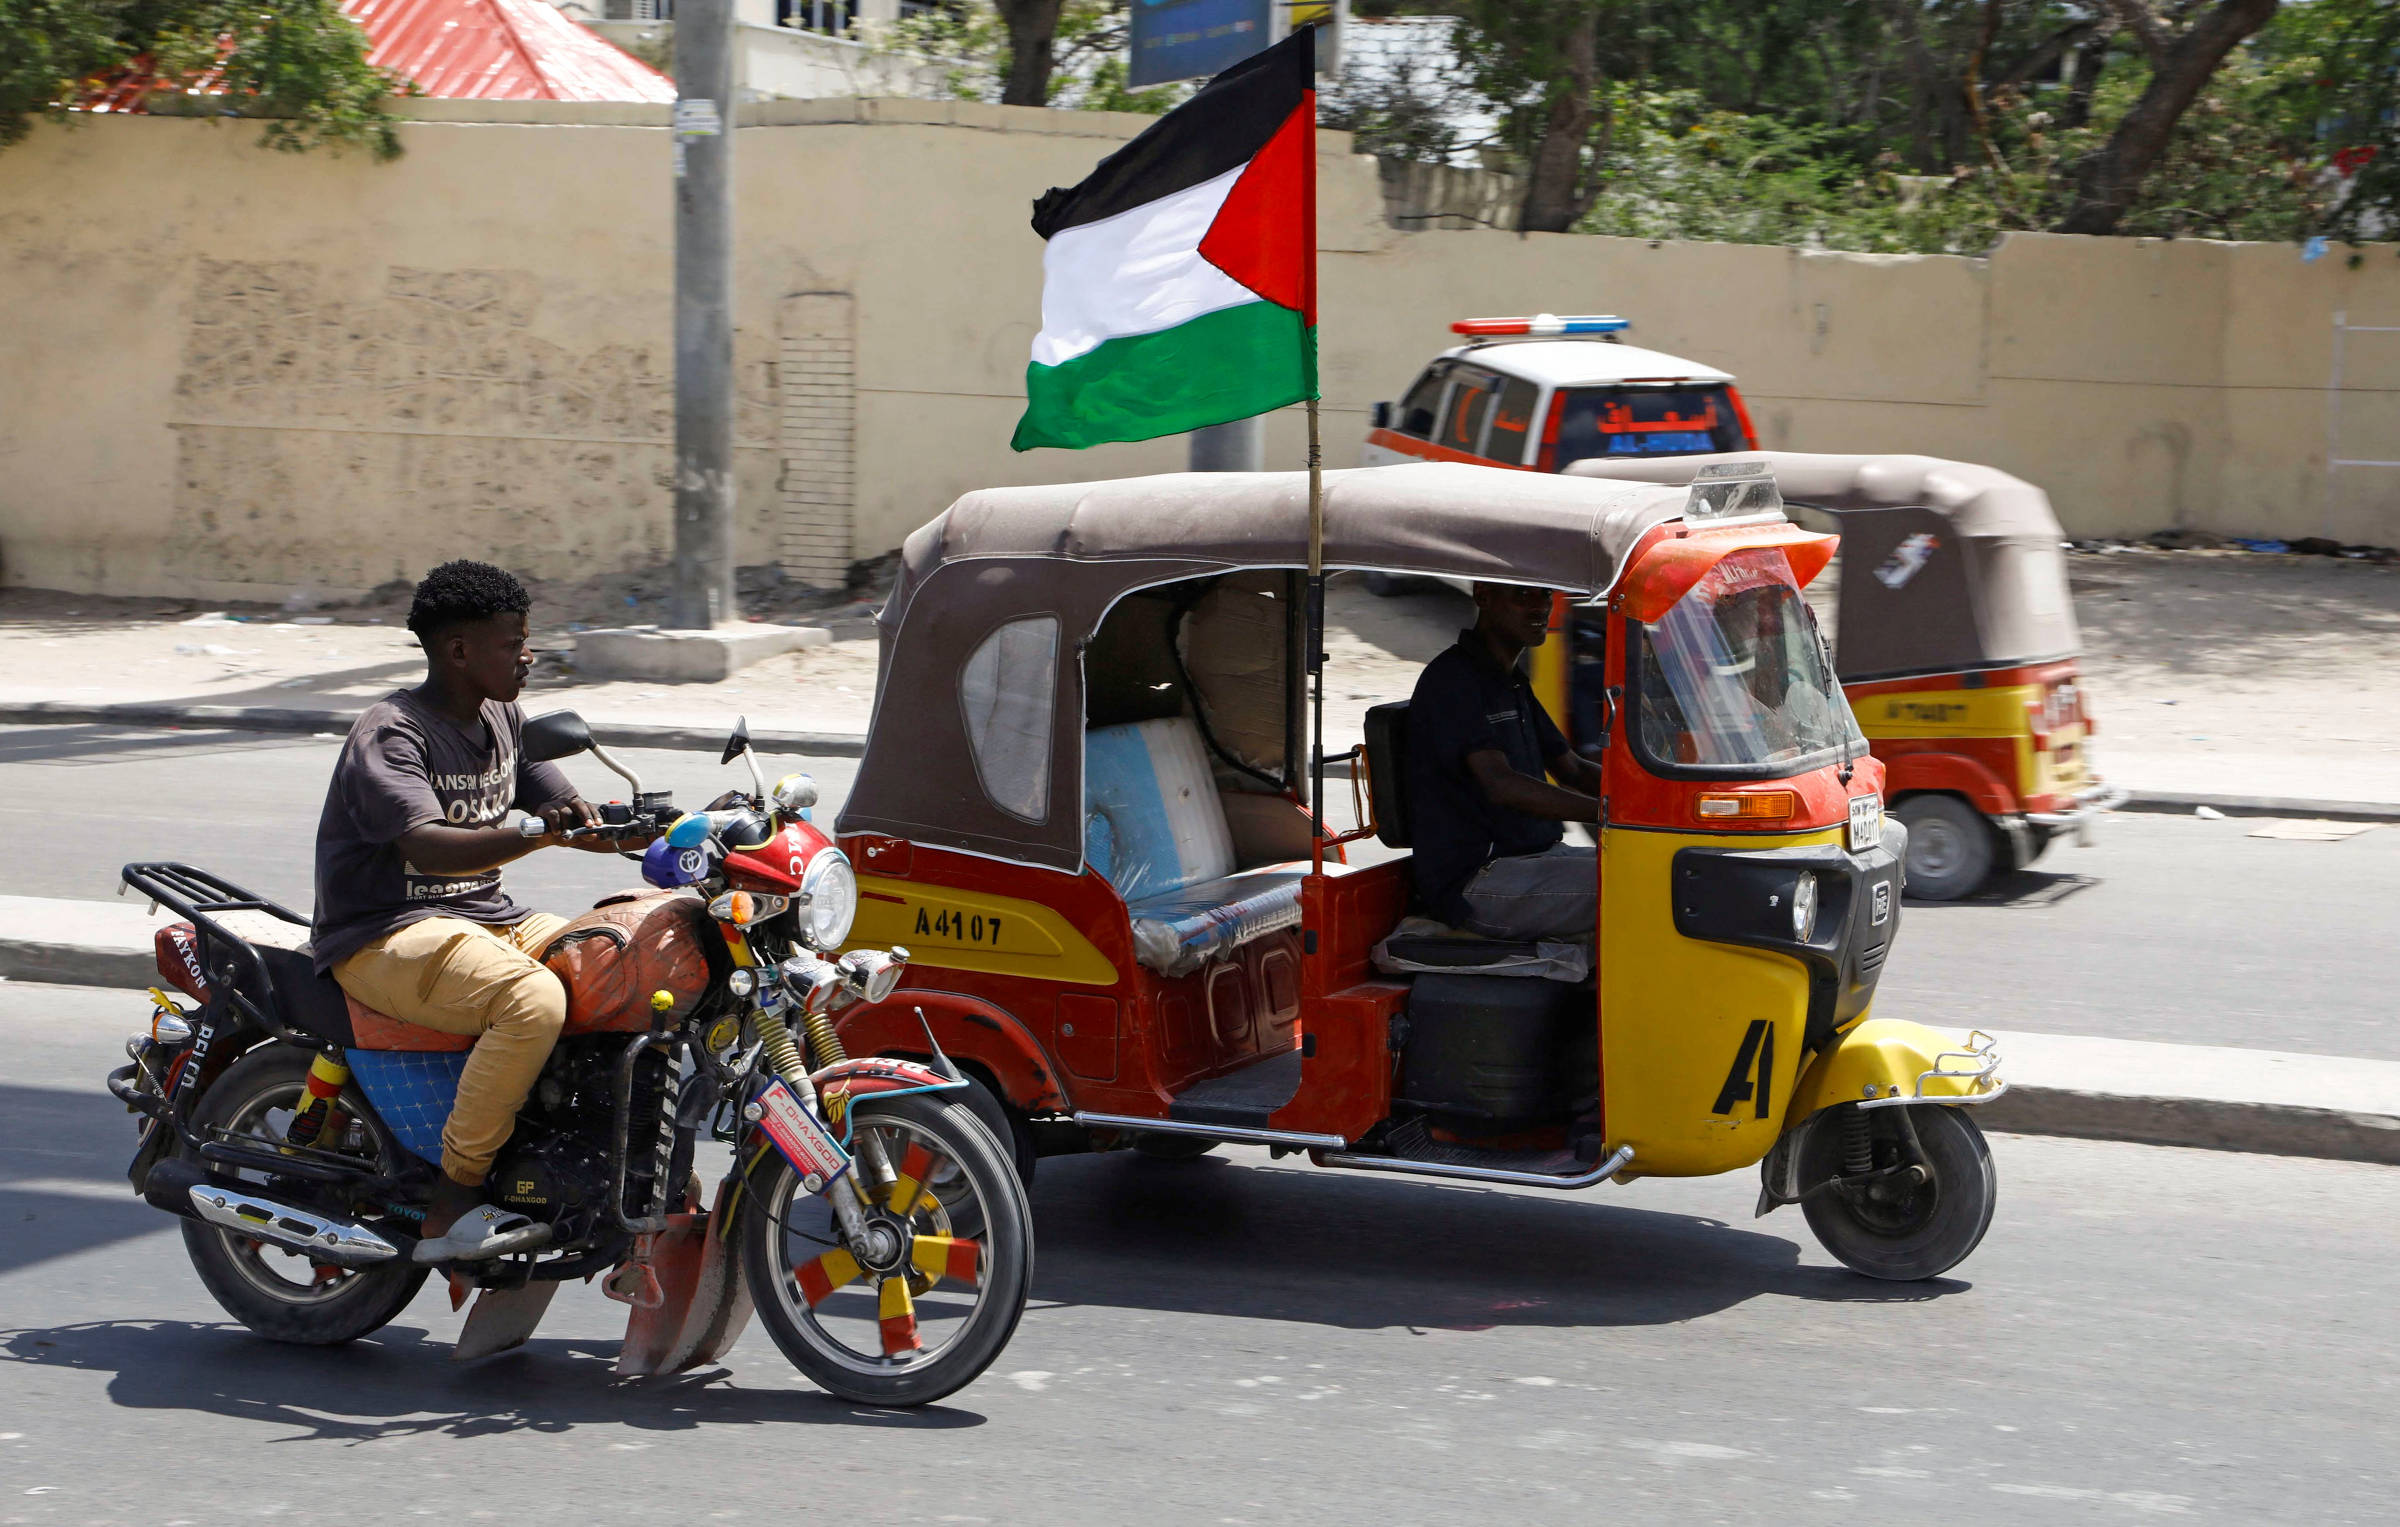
{"type": "Point", "coordinates": [1465, 705]}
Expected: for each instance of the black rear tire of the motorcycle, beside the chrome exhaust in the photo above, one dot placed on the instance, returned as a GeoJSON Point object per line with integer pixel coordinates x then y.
{"type": "Point", "coordinates": [270, 1291]}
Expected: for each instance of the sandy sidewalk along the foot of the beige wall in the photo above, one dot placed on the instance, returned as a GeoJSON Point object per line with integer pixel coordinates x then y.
{"type": "Point", "coordinates": [2214, 676]}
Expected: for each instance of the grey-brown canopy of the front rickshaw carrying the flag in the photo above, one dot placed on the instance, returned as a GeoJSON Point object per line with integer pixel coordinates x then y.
{"type": "Point", "coordinates": [980, 697]}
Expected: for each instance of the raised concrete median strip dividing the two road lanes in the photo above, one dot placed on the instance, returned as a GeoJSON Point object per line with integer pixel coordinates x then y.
{"type": "Point", "coordinates": [2058, 1084]}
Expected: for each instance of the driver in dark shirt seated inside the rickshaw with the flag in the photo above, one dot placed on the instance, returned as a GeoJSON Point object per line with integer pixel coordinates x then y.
{"type": "Point", "coordinates": [1492, 779]}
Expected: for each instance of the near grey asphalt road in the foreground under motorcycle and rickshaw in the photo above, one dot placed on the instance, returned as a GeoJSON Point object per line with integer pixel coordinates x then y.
{"type": "Point", "coordinates": [2147, 1334]}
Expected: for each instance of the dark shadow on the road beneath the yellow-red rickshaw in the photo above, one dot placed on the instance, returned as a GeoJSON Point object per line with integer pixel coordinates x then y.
{"type": "Point", "coordinates": [1345, 1250]}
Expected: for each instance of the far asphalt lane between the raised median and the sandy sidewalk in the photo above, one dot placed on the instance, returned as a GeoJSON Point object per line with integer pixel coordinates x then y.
{"type": "Point", "coordinates": [2171, 928]}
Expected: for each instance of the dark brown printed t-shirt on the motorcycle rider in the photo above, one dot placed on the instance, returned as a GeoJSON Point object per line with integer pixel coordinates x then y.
{"type": "Point", "coordinates": [404, 767]}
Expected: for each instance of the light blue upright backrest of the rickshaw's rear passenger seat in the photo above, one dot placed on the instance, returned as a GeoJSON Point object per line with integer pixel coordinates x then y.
{"type": "Point", "coordinates": [1153, 822]}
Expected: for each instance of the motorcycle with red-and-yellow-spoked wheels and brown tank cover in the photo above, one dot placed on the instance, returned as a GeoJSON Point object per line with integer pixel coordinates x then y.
{"type": "Point", "coordinates": [868, 1216]}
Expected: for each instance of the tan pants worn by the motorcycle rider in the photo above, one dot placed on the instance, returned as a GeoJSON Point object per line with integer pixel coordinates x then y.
{"type": "Point", "coordinates": [472, 978]}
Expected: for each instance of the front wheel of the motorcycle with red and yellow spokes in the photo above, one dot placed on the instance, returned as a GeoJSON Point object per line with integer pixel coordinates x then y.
{"type": "Point", "coordinates": [834, 1331]}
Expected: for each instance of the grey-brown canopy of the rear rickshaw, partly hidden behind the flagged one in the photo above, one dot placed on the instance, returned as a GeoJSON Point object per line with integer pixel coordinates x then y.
{"type": "Point", "coordinates": [1984, 589]}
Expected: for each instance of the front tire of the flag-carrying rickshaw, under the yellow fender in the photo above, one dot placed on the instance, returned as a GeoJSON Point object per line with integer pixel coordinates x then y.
{"type": "Point", "coordinates": [1897, 1228]}
